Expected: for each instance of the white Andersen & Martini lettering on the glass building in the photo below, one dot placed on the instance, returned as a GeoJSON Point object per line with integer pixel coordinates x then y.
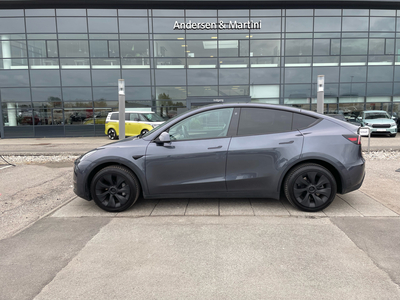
{"type": "Point", "coordinates": [221, 25]}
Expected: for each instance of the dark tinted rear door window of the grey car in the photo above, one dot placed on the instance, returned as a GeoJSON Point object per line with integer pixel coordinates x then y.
{"type": "Point", "coordinates": [255, 121]}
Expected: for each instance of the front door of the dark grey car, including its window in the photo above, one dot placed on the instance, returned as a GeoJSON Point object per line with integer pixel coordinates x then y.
{"type": "Point", "coordinates": [195, 160]}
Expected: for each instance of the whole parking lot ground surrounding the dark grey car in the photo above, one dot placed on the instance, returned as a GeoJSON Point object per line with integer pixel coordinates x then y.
{"type": "Point", "coordinates": [58, 246]}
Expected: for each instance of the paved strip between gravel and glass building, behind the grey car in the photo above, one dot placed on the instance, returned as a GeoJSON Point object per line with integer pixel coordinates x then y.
{"type": "Point", "coordinates": [80, 145]}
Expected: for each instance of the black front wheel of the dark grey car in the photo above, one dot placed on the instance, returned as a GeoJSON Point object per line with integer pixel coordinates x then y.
{"type": "Point", "coordinates": [115, 188]}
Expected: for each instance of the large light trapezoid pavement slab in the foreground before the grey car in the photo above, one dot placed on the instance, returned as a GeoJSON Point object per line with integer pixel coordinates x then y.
{"type": "Point", "coordinates": [220, 258]}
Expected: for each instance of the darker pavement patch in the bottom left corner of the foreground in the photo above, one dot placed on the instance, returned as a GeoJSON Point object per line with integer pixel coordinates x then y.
{"type": "Point", "coordinates": [31, 259]}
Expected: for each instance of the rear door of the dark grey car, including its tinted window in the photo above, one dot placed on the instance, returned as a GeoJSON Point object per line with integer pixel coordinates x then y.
{"type": "Point", "coordinates": [265, 144]}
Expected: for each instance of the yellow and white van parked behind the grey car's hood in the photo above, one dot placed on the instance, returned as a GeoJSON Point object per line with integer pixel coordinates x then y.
{"type": "Point", "coordinates": [136, 122]}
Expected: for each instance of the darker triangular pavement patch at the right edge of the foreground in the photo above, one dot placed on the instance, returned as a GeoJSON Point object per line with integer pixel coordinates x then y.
{"type": "Point", "coordinates": [379, 238]}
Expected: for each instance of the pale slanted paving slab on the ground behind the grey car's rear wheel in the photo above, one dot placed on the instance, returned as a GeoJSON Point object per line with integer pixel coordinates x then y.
{"type": "Point", "coordinates": [366, 205]}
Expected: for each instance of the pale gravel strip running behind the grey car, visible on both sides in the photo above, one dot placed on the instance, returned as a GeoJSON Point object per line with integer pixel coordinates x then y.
{"type": "Point", "coordinates": [41, 159]}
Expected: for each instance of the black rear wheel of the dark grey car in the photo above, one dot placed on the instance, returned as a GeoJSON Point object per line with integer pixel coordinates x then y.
{"type": "Point", "coordinates": [310, 187]}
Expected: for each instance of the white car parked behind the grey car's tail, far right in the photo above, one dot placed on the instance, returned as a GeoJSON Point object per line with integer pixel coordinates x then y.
{"type": "Point", "coordinates": [379, 122]}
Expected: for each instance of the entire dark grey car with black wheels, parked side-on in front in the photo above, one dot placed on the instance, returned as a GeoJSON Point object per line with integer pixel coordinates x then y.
{"type": "Point", "coordinates": [235, 150]}
